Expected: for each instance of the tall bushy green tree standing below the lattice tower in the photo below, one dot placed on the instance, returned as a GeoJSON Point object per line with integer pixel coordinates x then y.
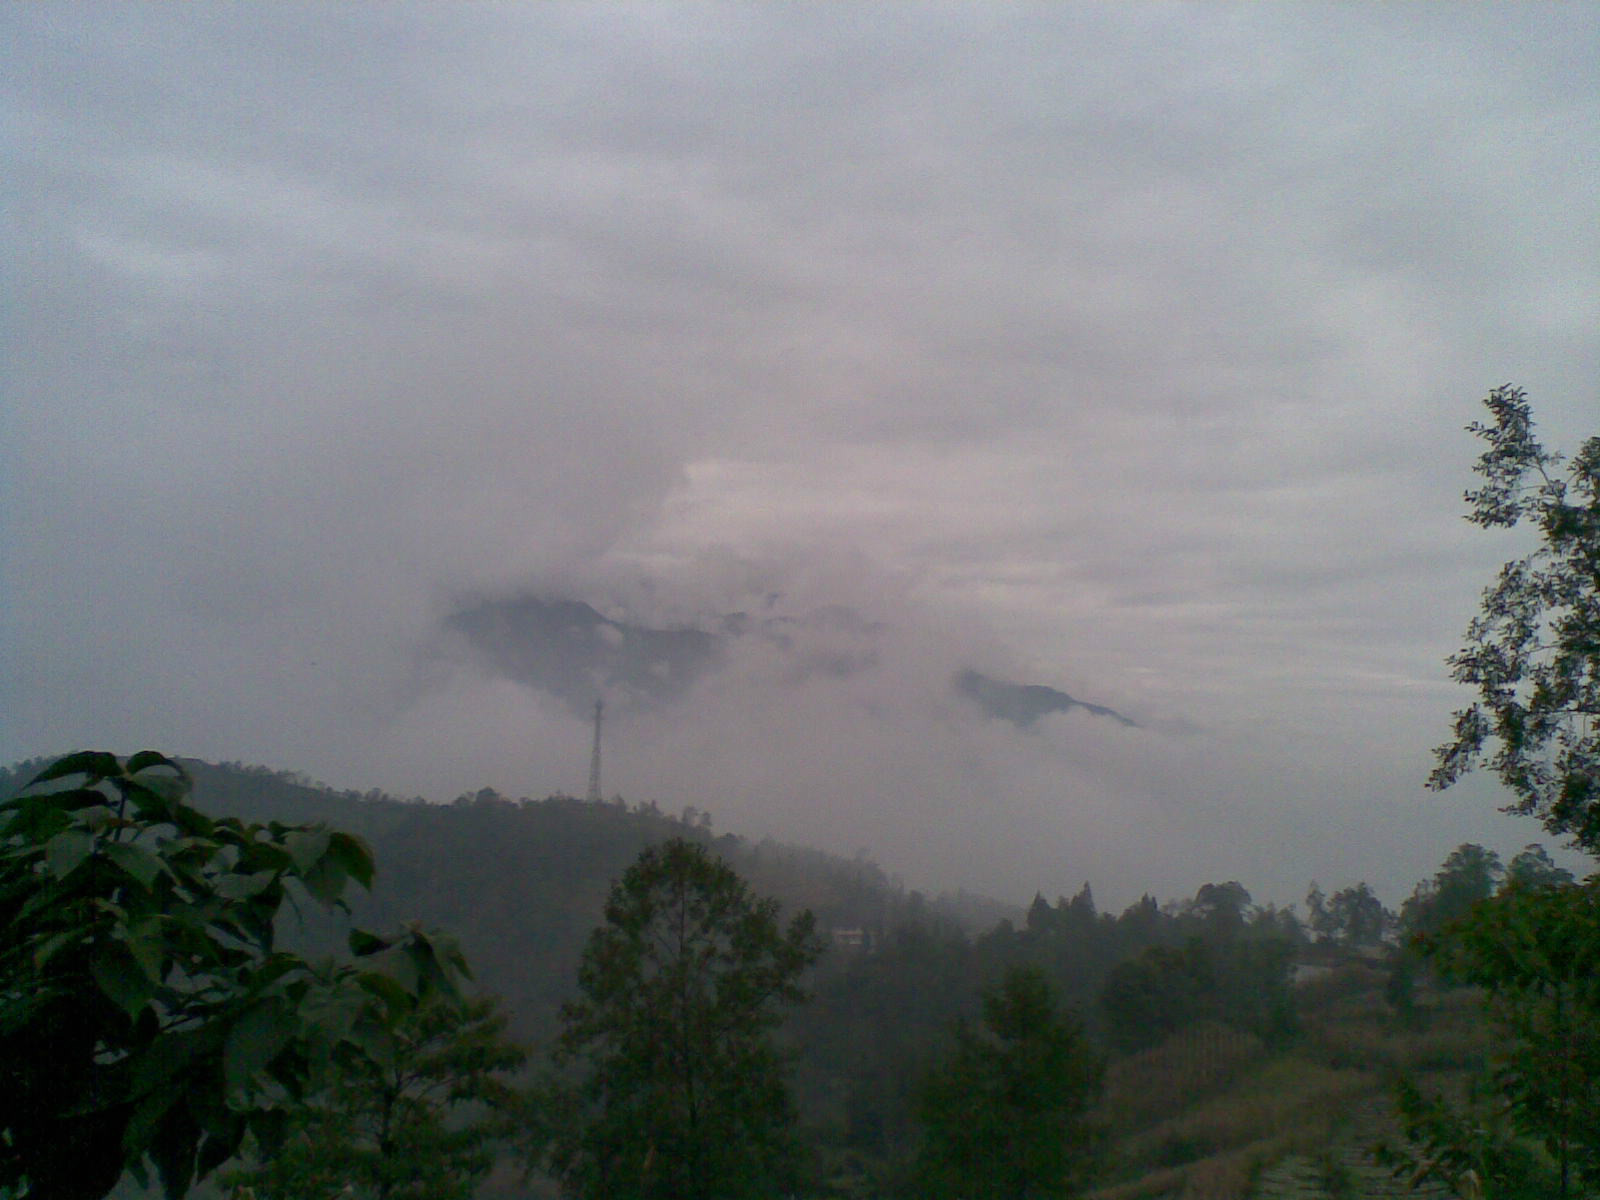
{"type": "Point", "coordinates": [681, 1086]}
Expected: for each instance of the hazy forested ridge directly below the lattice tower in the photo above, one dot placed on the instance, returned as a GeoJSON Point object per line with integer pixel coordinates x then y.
{"type": "Point", "coordinates": [522, 882]}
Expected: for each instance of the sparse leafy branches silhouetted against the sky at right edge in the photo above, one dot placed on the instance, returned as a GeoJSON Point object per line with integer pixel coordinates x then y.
{"type": "Point", "coordinates": [1534, 652]}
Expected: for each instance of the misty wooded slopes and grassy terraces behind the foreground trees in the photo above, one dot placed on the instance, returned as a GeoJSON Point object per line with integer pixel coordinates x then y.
{"type": "Point", "coordinates": [1188, 1001]}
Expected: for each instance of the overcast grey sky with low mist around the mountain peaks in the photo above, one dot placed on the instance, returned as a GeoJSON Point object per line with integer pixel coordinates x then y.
{"type": "Point", "coordinates": [1124, 350]}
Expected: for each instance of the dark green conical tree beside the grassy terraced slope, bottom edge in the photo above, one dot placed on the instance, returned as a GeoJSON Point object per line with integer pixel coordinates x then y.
{"type": "Point", "coordinates": [1007, 1113]}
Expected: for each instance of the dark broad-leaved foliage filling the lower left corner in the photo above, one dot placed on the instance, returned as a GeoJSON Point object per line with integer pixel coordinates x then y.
{"type": "Point", "coordinates": [146, 1014]}
